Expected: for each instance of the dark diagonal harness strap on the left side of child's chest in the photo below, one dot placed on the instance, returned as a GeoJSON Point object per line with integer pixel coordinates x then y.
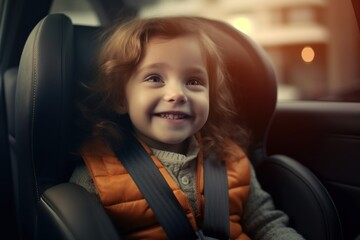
{"type": "Point", "coordinates": [156, 191]}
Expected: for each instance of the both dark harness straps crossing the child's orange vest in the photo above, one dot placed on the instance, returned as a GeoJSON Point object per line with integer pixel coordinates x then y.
{"type": "Point", "coordinates": [163, 202]}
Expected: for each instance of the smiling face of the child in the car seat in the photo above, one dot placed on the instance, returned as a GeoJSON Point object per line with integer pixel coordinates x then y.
{"type": "Point", "coordinates": [168, 94]}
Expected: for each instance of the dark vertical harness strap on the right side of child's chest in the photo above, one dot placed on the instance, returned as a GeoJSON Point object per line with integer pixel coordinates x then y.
{"type": "Point", "coordinates": [216, 215]}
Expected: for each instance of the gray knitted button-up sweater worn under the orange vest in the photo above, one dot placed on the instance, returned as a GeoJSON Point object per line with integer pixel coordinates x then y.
{"type": "Point", "coordinates": [261, 221]}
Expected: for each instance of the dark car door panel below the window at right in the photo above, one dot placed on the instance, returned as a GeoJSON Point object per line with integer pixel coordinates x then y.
{"type": "Point", "coordinates": [325, 137]}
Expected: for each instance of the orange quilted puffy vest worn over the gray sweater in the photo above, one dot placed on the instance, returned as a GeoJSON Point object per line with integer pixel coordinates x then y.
{"type": "Point", "coordinates": [130, 212]}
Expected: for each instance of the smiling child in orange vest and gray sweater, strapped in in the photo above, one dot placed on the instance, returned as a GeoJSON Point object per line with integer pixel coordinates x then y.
{"type": "Point", "coordinates": [163, 81]}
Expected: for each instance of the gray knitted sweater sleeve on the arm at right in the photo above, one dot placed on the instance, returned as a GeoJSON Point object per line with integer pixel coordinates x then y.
{"type": "Point", "coordinates": [261, 221]}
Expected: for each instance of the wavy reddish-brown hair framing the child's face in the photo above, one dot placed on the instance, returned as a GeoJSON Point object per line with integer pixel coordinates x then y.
{"type": "Point", "coordinates": [121, 52]}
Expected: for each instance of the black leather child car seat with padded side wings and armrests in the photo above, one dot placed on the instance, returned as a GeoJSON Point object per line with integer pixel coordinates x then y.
{"type": "Point", "coordinates": [56, 56]}
